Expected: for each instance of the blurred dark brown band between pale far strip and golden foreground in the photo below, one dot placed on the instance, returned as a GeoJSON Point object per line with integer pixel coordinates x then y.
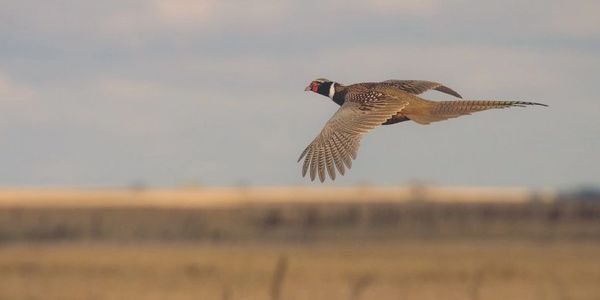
{"type": "Point", "coordinates": [298, 222]}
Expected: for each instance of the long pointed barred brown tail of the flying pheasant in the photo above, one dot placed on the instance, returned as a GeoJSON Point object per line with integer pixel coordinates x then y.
{"type": "Point", "coordinates": [451, 109]}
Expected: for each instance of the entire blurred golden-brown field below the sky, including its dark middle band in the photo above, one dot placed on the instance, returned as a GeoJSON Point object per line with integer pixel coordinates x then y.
{"type": "Point", "coordinates": [300, 243]}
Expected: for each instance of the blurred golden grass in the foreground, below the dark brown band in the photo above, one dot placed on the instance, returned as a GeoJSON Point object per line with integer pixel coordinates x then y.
{"type": "Point", "coordinates": [384, 270]}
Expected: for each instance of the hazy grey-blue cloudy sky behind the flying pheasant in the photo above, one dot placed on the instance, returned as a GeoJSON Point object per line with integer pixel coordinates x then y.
{"type": "Point", "coordinates": [110, 93]}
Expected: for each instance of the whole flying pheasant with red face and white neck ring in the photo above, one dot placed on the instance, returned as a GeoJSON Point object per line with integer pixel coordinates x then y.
{"type": "Point", "coordinates": [364, 106]}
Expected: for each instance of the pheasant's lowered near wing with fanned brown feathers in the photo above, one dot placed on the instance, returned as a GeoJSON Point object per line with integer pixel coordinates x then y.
{"type": "Point", "coordinates": [337, 144]}
